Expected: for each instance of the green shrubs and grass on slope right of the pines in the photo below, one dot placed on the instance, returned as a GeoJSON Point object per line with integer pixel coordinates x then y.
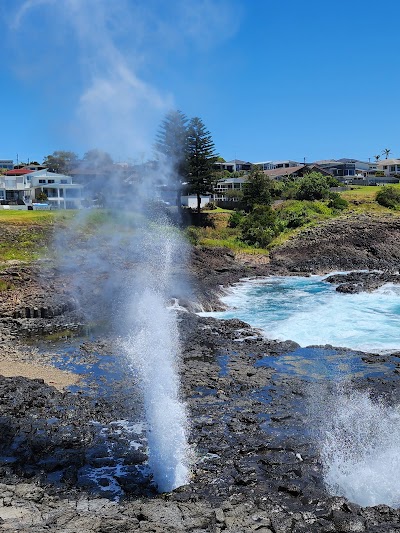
{"type": "Point", "coordinates": [258, 228]}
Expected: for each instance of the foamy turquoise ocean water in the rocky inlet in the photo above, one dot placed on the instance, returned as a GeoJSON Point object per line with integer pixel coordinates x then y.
{"type": "Point", "coordinates": [309, 311]}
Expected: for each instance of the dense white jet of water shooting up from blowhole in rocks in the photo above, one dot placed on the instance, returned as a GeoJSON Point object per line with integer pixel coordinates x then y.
{"type": "Point", "coordinates": [153, 347]}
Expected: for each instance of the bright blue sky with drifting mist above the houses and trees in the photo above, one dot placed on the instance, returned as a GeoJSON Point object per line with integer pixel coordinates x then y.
{"type": "Point", "coordinates": [271, 79]}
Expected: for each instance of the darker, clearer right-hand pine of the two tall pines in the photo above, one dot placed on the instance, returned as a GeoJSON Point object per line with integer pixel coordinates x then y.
{"type": "Point", "coordinates": [201, 157]}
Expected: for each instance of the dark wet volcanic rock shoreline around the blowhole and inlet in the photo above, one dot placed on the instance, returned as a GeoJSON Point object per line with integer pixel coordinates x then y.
{"type": "Point", "coordinates": [247, 476]}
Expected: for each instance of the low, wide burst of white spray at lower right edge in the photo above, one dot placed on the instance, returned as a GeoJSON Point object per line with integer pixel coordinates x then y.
{"type": "Point", "coordinates": [359, 441]}
